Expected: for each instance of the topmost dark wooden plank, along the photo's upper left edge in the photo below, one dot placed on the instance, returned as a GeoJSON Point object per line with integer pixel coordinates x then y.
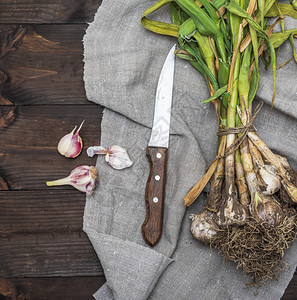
{"type": "Point", "coordinates": [48, 11]}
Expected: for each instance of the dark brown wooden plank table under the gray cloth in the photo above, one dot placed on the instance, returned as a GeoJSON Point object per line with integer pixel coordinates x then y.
{"type": "Point", "coordinates": [44, 254]}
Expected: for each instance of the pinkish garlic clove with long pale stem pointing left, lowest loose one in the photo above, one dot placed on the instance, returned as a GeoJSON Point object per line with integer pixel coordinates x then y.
{"type": "Point", "coordinates": [83, 178]}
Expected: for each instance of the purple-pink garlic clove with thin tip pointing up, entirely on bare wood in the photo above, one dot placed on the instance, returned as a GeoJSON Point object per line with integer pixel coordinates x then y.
{"type": "Point", "coordinates": [71, 144]}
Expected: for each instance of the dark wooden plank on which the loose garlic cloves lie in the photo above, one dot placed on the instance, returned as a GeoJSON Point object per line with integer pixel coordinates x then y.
{"type": "Point", "coordinates": [29, 138]}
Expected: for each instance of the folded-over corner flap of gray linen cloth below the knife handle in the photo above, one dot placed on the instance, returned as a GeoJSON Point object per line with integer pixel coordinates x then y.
{"type": "Point", "coordinates": [131, 270]}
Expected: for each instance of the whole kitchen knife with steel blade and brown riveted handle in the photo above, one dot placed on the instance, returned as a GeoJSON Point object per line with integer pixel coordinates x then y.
{"type": "Point", "coordinates": [157, 153]}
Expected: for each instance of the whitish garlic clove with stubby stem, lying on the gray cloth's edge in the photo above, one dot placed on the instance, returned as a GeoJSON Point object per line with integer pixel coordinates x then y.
{"type": "Point", "coordinates": [116, 156]}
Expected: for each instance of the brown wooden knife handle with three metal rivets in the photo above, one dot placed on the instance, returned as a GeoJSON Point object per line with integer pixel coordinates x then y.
{"type": "Point", "coordinates": [154, 195]}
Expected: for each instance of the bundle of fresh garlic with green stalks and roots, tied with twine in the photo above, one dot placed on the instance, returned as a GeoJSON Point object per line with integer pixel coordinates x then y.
{"type": "Point", "coordinates": [250, 215]}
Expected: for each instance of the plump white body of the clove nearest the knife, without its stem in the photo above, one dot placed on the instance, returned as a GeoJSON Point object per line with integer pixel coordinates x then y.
{"type": "Point", "coordinates": [118, 158]}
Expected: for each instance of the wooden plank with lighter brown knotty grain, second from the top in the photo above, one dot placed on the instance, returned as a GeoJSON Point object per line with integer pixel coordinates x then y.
{"type": "Point", "coordinates": [41, 64]}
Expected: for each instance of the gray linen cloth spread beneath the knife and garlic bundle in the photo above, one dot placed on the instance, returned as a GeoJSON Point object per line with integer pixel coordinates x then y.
{"type": "Point", "coordinates": [122, 65]}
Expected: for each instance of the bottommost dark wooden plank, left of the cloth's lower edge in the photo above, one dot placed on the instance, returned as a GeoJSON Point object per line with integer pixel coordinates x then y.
{"type": "Point", "coordinates": [69, 288]}
